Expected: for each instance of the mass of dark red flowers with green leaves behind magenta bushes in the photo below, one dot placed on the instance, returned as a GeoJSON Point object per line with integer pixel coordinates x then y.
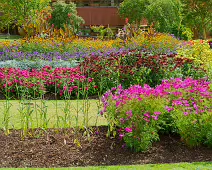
{"type": "Point", "coordinates": [129, 67]}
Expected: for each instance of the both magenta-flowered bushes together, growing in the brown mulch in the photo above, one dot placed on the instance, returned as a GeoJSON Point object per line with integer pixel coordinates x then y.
{"type": "Point", "coordinates": [138, 113]}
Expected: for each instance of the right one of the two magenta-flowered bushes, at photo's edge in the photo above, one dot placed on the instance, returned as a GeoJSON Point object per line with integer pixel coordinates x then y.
{"type": "Point", "coordinates": [190, 106]}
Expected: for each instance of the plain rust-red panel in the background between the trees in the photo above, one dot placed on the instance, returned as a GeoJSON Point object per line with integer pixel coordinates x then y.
{"type": "Point", "coordinates": [100, 16]}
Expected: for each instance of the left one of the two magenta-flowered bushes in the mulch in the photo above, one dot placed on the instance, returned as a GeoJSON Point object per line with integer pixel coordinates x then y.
{"type": "Point", "coordinates": [136, 112]}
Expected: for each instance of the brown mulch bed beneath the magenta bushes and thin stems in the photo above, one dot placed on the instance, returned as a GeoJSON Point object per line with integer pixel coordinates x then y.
{"type": "Point", "coordinates": [57, 148]}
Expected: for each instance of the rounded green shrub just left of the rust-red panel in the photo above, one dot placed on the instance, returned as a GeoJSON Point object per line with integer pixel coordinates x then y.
{"type": "Point", "coordinates": [66, 14]}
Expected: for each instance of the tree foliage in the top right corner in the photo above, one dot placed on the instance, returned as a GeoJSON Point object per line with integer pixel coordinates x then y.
{"type": "Point", "coordinates": [198, 15]}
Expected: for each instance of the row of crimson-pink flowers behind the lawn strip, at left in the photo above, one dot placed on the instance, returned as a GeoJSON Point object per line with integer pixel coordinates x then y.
{"type": "Point", "coordinates": [34, 83]}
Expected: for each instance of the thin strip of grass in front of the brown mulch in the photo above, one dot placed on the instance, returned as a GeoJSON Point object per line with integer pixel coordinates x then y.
{"type": "Point", "coordinates": [178, 166]}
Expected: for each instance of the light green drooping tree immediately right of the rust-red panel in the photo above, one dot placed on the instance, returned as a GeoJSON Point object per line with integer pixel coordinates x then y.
{"type": "Point", "coordinates": [163, 14]}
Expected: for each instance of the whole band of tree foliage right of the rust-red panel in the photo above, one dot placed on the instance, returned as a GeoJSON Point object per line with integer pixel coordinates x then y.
{"type": "Point", "coordinates": [169, 15]}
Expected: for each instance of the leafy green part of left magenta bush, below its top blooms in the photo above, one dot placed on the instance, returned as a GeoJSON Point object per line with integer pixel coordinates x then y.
{"type": "Point", "coordinates": [137, 120]}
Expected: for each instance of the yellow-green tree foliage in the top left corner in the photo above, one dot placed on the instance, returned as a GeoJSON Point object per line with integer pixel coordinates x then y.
{"type": "Point", "coordinates": [17, 11]}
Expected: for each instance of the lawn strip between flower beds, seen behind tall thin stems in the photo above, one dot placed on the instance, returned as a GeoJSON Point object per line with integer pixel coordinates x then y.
{"type": "Point", "coordinates": [90, 111]}
